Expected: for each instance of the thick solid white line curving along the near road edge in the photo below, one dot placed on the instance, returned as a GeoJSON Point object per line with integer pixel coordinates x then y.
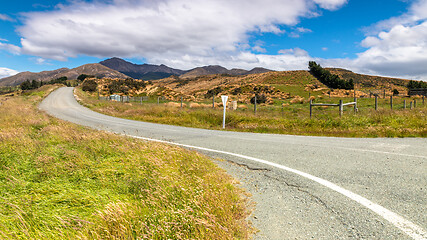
{"type": "Point", "coordinates": [411, 229]}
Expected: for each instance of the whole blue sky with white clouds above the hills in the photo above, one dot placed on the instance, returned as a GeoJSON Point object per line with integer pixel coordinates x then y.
{"type": "Point", "coordinates": [381, 37]}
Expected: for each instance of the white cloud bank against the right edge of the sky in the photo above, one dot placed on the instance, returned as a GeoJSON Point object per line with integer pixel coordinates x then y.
{"type": "Point", "coordinates": [400, 49]}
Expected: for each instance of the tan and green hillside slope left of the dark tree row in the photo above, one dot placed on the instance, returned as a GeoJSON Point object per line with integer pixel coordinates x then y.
{"type": "Point", "coordinates": [274, 85]}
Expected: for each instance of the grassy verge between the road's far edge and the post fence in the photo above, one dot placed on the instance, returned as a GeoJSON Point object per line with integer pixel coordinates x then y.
{"type": "Point", "coordinates": [291, 119]}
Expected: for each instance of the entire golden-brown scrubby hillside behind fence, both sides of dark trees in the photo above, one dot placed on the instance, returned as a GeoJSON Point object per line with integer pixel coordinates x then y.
{"type": "Point", "coordinates": [275, 86]}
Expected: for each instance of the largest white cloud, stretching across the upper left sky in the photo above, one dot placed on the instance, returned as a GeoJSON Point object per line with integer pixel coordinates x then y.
{"type": "Point", "coordinates": [154, 29]}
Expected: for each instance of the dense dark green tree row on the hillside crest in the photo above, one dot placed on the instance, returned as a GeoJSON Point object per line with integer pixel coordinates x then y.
{"type": "Point", "coordinates": [330, 80]}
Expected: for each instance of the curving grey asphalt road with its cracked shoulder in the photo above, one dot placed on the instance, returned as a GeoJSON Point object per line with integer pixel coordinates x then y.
{"type": "Point", "coordinates": [347, 188]}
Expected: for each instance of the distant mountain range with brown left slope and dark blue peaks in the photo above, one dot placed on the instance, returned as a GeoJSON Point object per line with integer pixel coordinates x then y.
{"type": "Point", "coordinates": [119, 68]}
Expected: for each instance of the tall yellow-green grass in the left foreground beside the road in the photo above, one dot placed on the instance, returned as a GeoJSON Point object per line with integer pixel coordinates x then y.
{"type": "Point", "coordinates": [62, 181]}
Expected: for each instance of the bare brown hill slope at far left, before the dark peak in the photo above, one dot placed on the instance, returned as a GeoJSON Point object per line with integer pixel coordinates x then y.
{"type": "Point", "coordinates": [95, 69]}
